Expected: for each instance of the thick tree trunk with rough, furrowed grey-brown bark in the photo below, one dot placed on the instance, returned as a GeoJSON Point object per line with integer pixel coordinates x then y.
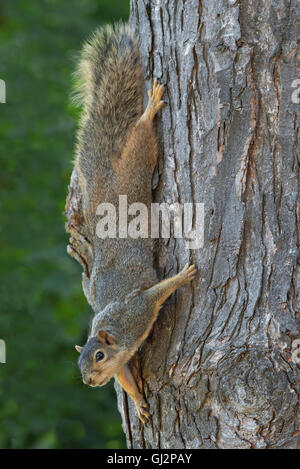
{"type": "Point", "coordinates": [220, 366]}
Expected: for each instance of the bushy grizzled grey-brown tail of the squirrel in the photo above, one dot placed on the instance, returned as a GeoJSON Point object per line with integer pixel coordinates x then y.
{"type": "Point", "coordinates": [108, 84]}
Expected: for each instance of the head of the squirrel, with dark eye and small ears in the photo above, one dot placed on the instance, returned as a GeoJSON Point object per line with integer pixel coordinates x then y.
{"type": "Point", "coordinates": [100, 359]}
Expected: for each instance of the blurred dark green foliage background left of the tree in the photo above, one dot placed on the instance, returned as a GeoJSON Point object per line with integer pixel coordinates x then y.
{"type": "Point", "coordinates": [43, 313]}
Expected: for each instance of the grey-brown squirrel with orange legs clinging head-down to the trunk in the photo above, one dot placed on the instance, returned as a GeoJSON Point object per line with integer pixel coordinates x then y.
{"type": "Point", "coordinates": [116, 153]}
